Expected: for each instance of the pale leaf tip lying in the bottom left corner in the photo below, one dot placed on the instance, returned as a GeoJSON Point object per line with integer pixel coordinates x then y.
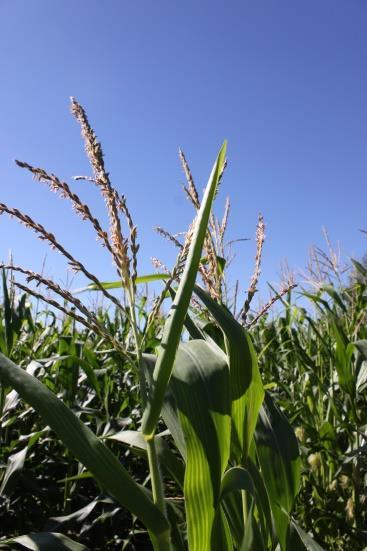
{"type": "Point", "coordinates": [45, 541]}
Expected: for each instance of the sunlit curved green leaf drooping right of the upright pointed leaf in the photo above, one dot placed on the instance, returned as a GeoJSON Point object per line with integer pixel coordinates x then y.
{"type": "Point", "coordinates": [246, 386]}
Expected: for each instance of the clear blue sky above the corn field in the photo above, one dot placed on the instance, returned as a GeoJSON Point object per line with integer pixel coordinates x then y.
{"type": "Point", "coordinates": [285, 82]}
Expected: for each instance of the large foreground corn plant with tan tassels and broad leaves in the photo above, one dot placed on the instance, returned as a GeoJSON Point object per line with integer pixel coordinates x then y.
{"type": "Point", "coordinates": [207, 426]}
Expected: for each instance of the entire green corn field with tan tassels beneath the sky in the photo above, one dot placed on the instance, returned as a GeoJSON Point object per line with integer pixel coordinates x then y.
{"type": "Point", "coordinates": [187, 421]}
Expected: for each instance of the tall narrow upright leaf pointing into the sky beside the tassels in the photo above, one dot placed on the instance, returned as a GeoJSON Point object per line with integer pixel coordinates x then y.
{"type": "Point", "coordinates": [176, 316]}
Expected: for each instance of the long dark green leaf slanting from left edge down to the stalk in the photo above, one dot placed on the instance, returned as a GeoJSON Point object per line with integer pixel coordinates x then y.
{"type": "Point", "coordinates": [83, 443]}
